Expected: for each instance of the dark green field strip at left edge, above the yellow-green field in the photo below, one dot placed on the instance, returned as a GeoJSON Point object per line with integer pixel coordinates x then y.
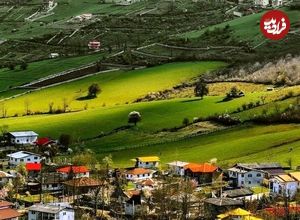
{"type": "Point", "coordinates": [36, 70]}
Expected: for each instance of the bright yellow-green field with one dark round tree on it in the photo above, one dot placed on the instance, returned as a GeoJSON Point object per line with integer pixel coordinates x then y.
{"type": "Point", "coordinates": [118, 87]}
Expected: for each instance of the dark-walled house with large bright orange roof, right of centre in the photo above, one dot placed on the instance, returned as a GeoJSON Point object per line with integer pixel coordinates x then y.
{"type": "Point", "coordinates": [202, 173]}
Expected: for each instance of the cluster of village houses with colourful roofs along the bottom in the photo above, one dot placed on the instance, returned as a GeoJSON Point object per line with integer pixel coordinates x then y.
{"type": "Point", "coordinates": [68, 183]}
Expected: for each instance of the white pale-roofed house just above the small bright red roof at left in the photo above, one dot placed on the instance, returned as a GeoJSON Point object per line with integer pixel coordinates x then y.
{"type": "Point", "coordinates": [16, 158]}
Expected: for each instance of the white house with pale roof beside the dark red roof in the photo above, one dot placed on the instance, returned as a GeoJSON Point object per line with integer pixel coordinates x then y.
{"type": "Point", "coordinates": [22, 137]}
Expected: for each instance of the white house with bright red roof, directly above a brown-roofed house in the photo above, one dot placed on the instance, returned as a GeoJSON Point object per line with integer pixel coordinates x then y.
{"type": "Point", "coordinates": [75, 171]}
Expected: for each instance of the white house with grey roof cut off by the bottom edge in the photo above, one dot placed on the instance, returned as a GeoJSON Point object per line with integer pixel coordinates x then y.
{"type": "Point", "coordinates": [61, 211]}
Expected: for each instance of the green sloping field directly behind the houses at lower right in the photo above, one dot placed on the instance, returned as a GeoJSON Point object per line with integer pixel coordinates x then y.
{"type": "Point", "coordinates": [241, 144]}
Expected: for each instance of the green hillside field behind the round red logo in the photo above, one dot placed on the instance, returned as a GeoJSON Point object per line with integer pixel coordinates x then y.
{"type": "Point", "coordinates": [244, 28]}
